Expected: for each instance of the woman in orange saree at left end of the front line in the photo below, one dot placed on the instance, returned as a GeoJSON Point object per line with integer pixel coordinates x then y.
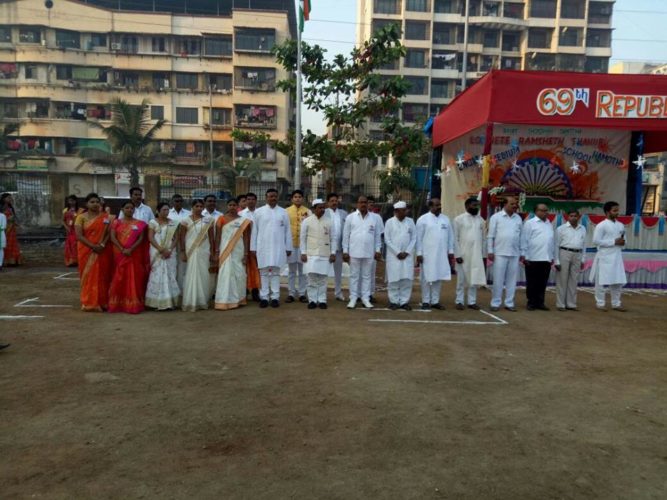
{"type": "Point", "coordinates": [94, 257]}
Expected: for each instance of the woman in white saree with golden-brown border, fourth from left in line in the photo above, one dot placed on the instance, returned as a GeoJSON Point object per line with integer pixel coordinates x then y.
{"type": "Point", "coordinates": [197, 247]}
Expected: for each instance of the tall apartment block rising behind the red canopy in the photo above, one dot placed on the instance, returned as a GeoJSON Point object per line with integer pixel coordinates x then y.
{"type": "Point", "coordinates": [568, 35]}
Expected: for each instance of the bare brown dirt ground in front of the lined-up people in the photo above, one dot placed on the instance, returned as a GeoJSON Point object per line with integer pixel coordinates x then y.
{"type": "Point", "coordinates": [292, 403]}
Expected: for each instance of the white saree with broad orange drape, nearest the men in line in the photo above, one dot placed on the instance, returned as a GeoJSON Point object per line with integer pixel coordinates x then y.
{"type": "Point", "coordinates": [231, 290]}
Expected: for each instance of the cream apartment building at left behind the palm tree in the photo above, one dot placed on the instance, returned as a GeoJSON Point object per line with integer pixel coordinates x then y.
{"type": "Point", "coordinates": [204, 65]}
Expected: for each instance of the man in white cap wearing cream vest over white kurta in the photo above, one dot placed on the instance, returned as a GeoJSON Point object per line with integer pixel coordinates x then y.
{"type": "Point", "coordinates": [318, 252]}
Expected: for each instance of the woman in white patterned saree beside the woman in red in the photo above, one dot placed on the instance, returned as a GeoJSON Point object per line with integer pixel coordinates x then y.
{"type": "Point", "coordinates": [163, 292]}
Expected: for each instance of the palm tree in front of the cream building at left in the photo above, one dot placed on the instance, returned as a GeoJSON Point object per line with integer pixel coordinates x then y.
{"type": "Point", "coordinates": [131, 137]}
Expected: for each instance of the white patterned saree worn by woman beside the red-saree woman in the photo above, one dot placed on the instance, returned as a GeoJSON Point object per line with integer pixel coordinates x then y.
{"type": "Point", "coordinates": [163, 291]}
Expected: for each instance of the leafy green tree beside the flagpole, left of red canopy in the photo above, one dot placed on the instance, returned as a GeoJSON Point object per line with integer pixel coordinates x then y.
{"type": "Point", "coordinates": [348, 91]}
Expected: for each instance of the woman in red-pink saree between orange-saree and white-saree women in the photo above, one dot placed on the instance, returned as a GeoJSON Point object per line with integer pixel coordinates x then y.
{"type": "Point", "coordinates": [128, 285]}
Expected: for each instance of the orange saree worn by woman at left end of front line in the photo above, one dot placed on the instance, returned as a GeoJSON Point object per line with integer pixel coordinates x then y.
{"type": "Point", "coordinates": [94, 268]}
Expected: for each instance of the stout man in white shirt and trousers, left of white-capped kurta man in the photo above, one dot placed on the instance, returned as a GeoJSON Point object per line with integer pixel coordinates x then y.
{"type": "Point", "coordinates": [362, 241]}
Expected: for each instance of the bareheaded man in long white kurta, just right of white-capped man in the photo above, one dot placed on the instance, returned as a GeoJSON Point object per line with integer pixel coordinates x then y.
{"type": "Point", "coordinates": [435, 248]}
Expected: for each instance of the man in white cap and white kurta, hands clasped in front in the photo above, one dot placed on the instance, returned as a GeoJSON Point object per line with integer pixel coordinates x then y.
{"type": "Point", "coordinates": [400, 237]}
